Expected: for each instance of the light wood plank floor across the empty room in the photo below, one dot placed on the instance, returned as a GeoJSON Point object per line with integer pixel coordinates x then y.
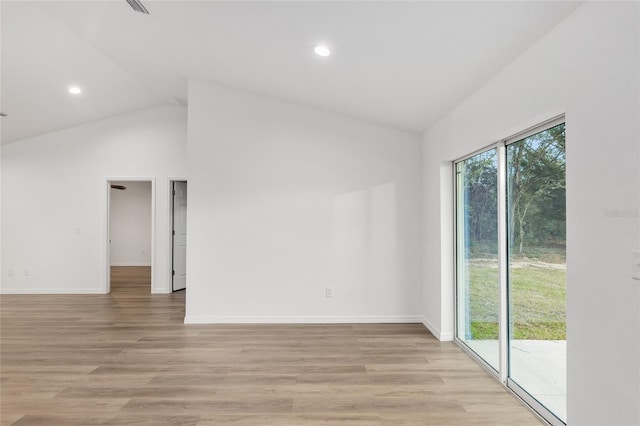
{"type": "Point", "coordinates": [127, 359]}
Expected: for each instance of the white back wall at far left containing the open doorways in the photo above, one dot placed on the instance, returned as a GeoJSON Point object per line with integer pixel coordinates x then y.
{"type": "Point", "coordinates": [54, 198]}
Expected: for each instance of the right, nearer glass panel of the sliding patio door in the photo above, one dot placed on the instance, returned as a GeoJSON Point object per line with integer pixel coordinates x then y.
{"type": "Point", "coordinates": [537, 267]}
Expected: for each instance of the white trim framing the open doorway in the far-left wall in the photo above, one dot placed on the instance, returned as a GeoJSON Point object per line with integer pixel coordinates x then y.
{"type": "Point", "coordinates": [106, 287]}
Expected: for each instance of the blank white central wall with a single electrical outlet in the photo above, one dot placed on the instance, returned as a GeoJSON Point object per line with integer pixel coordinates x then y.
{"type": "Point", "coordinates": [285, 201]}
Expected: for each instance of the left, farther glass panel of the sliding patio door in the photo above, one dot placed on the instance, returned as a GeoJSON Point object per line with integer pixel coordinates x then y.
{"type": "Point", "coordinates": [477, 281]}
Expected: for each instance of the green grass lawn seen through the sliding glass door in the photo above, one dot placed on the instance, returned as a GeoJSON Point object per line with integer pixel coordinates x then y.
{"type": "Point", "coordinates": [538, 301]}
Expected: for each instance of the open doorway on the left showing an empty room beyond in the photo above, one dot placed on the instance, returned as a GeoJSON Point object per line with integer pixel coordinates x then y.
{"type": "Point", "coordinates": [130, 235]}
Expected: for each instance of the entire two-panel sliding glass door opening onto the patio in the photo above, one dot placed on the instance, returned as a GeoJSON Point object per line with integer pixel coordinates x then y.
{"type": "Point", "coordinates": [511, 264]}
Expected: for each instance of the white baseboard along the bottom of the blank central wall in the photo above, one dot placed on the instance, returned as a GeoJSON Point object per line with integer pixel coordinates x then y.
{"type": "Point", "coordinates": [301, 320]}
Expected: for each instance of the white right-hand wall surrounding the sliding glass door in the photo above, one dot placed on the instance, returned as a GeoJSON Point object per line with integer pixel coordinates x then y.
{"type": "Point", "coordinates": [588, 68]}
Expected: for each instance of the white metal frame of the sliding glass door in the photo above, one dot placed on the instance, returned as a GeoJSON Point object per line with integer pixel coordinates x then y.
{"type": "Point", "coordinates": [502, 375]}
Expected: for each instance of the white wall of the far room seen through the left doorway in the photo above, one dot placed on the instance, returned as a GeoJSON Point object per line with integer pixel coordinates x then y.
{"type": "Point", "coordinates": [130, 224]}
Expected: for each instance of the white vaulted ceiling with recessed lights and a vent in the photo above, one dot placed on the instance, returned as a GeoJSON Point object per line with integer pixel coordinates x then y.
{"type": "Point", "coordinates": [404, 64]}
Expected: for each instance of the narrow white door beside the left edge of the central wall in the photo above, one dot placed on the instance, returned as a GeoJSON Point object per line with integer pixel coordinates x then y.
{"type": "Point", "coordinates": [179, 235]}
